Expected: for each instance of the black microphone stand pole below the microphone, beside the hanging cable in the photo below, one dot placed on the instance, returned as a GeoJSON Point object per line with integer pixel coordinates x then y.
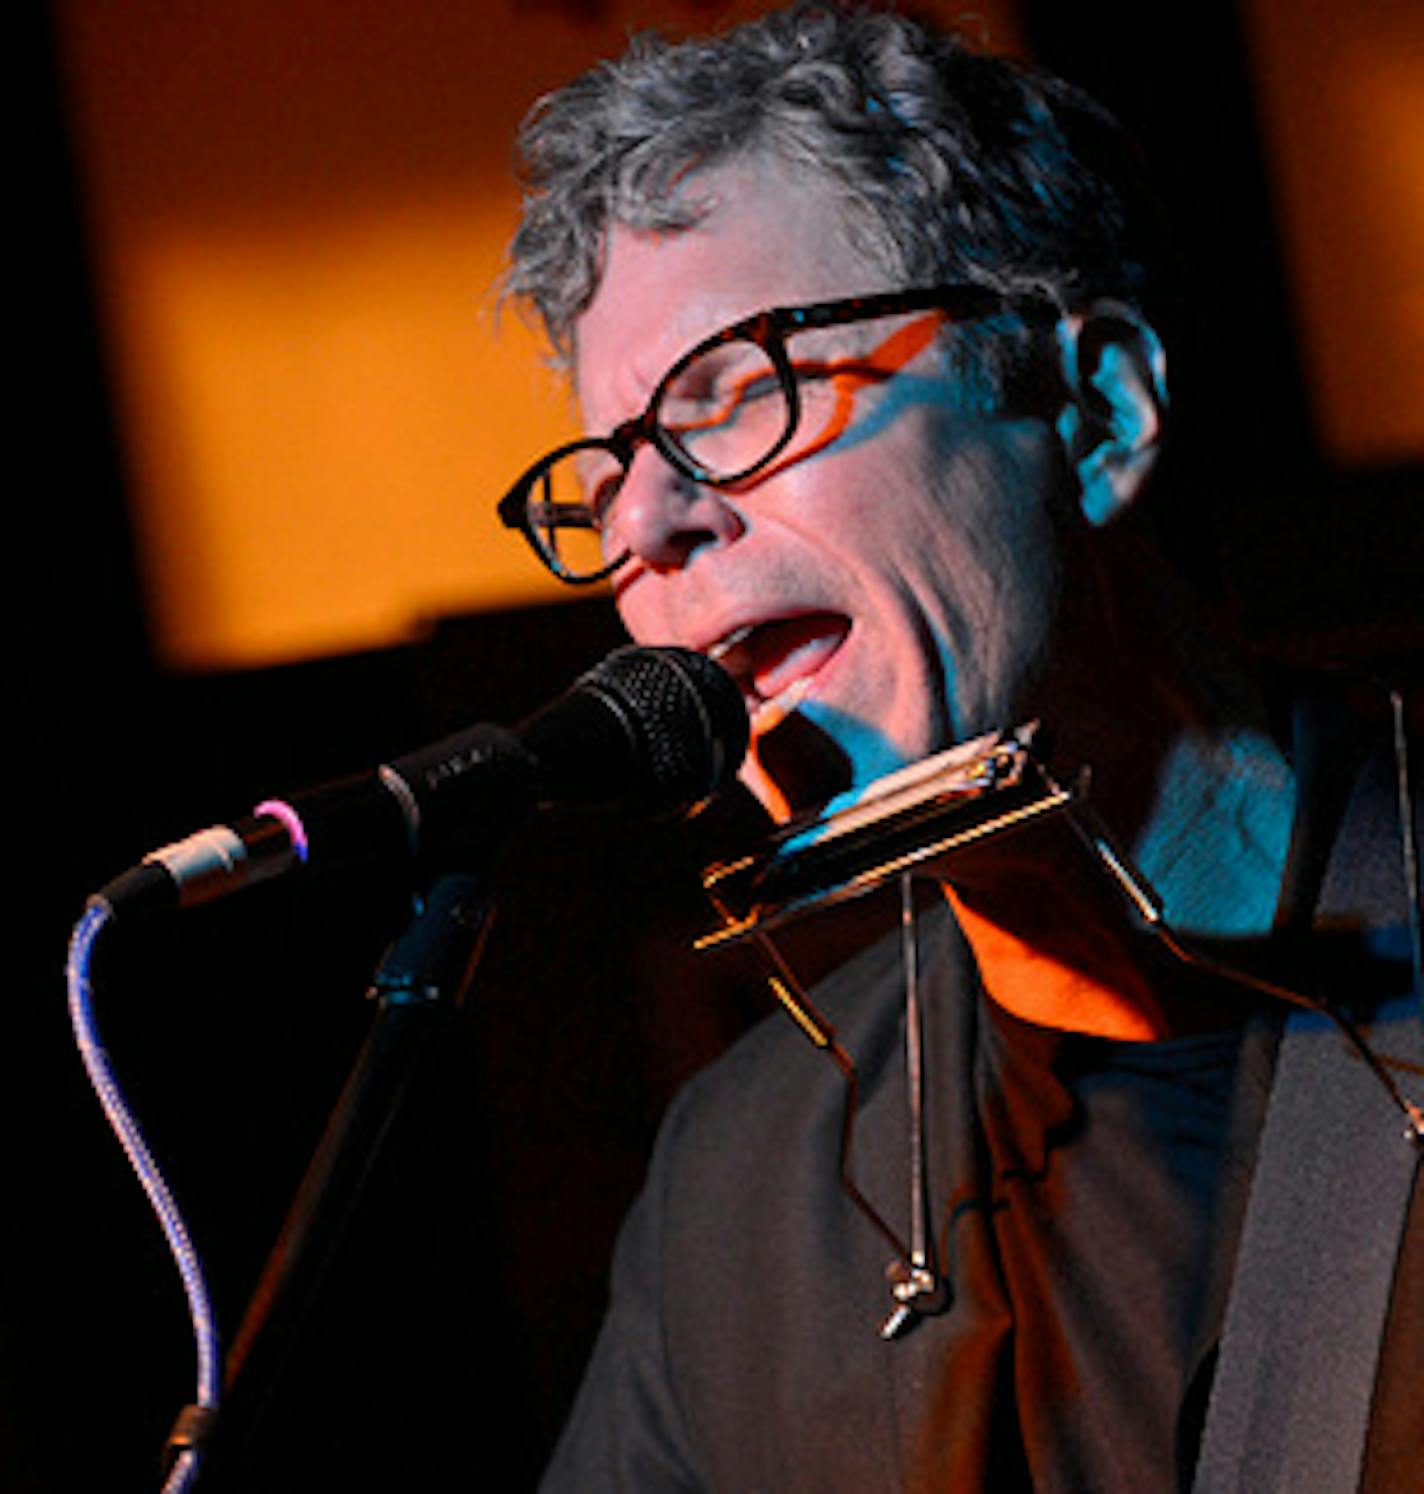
{"type": "Point", "coordinates": [422, 978]}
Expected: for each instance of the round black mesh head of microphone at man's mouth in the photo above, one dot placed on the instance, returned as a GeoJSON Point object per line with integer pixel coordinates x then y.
{"type": "Point", "coordinates": [690, 722]}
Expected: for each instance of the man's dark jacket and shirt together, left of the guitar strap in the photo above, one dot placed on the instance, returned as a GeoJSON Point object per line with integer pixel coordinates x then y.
{"type": "Point", "coordinates": [742, 1350]}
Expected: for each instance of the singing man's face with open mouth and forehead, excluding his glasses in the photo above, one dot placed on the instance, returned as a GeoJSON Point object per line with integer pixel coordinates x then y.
{"type": "Point", "coordinates": [885, 592]}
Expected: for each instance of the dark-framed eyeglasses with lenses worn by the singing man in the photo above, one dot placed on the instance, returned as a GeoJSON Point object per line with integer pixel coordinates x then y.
{"type": "Point", "coordinates": [724, 413]}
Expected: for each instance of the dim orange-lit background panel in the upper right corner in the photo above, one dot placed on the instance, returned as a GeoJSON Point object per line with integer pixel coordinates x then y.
{"type": "Point", "coordinates": [1341, 87]}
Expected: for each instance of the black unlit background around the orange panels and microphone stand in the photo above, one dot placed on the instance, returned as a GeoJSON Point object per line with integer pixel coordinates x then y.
{"type": "Point", "coordinates": [453, 1324]}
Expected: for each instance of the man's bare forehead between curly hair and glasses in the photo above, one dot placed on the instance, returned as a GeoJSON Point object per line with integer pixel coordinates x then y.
{"type": "Point", "coordinates": [767, 235]}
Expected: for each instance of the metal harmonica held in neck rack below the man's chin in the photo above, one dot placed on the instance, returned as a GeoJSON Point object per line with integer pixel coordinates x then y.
{"type": "Point", "coordinates": [978, 790]}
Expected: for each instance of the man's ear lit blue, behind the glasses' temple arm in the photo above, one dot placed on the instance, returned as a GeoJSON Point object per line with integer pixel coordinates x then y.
{"type": "Point", "coordinates": [1111, 425]}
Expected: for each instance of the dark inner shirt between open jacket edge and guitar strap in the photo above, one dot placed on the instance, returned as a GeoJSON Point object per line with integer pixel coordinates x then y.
{"type": "Point", "coordinates": [1089, 1257]}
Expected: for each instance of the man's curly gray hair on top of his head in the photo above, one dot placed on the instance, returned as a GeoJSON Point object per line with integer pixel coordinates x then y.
{"type": "Point", "coordinates": [951, 164]}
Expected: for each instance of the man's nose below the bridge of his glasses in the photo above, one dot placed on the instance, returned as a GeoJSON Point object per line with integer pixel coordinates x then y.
{"type": "Point", "coordinates": [664, 518]}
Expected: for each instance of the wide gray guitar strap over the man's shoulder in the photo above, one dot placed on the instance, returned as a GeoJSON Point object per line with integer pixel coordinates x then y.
{"type": "Point", "coordinates": [1335, 1172]}
